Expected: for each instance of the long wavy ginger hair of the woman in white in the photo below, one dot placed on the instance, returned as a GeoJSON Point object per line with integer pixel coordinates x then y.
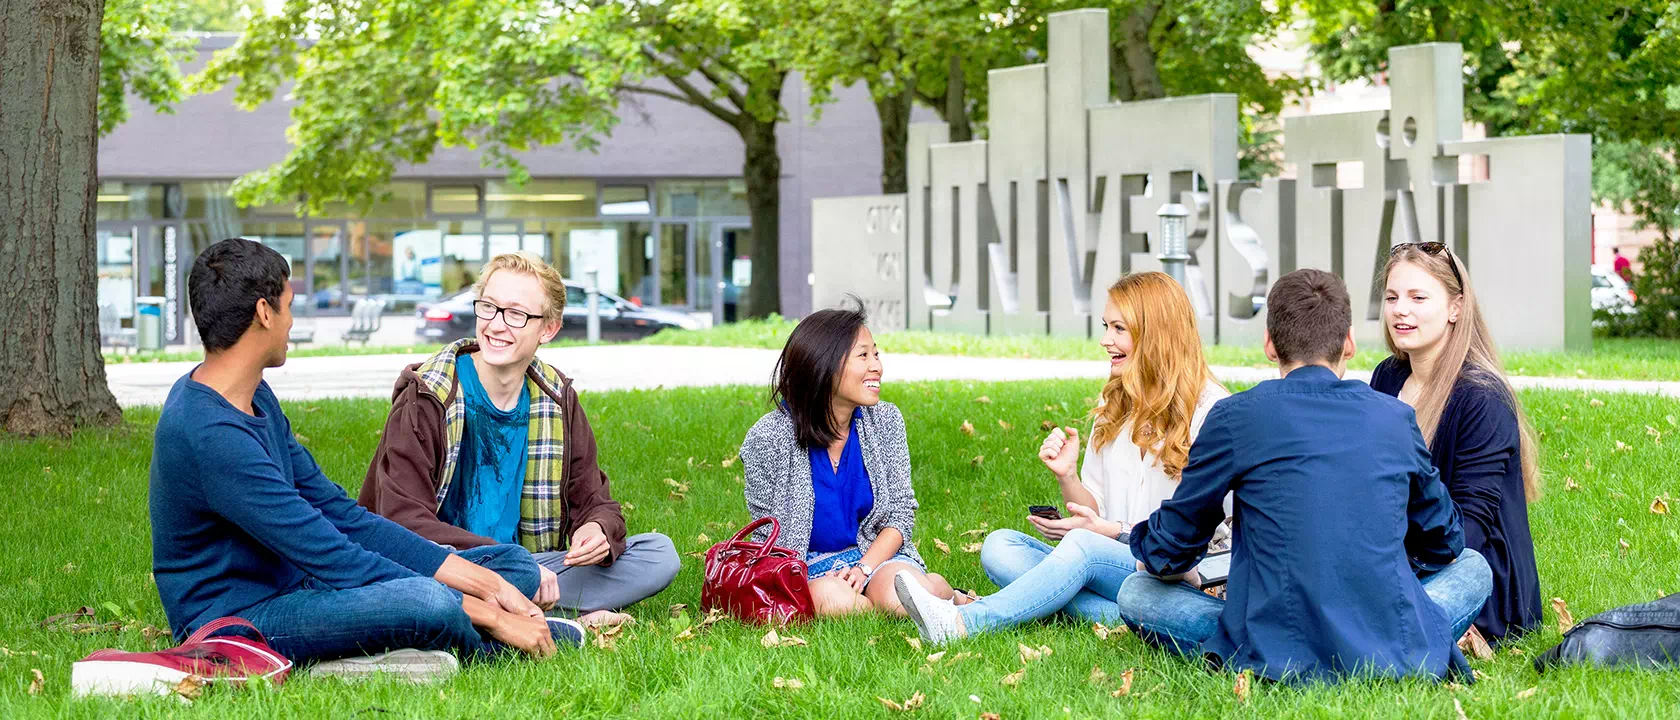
{"type": "Point", "coordinates": [1162, 383]}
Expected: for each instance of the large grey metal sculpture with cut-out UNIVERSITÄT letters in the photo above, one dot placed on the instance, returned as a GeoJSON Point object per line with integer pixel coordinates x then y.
{"type": "Point", "coordinates": [1024, 232]}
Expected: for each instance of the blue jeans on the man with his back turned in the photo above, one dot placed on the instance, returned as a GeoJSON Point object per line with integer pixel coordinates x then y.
{"type": "Point", "coordinates": [1180, 618]}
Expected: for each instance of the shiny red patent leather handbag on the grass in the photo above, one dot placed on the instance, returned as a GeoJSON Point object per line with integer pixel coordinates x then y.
{"type": "Point", "coordinates": [757, 582]}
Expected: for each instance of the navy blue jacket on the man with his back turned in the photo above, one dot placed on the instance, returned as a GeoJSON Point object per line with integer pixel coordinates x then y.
{"type": "Point", "coordinates": [1338, 509]}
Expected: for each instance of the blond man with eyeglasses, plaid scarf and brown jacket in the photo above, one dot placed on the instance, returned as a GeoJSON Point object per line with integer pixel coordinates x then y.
{"type": "Point", "coordinates": [486, 446]}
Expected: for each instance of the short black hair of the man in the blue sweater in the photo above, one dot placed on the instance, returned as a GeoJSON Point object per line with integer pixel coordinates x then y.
{"type": "Point", "coordinates": [224, 288]}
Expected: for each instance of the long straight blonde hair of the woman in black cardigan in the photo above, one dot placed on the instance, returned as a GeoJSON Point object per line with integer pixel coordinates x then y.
{"type": "Point", "coordinates": [1467, 353]}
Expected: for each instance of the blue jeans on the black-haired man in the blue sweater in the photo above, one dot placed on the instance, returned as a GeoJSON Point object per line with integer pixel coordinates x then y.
{"type": "Point", "coordinates": [322, 623]}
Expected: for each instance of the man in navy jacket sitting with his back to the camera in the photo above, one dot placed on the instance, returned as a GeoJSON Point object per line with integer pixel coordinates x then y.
{"type": "Point", "coordinates": [1338, 511]}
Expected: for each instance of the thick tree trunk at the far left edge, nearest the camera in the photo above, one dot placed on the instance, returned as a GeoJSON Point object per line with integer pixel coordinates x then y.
{"type": "Point", "coordinates": [50, 132]}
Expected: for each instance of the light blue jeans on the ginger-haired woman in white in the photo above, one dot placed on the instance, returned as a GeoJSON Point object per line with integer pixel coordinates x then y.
{"type": "Point", "coordinates": [1079, 577]}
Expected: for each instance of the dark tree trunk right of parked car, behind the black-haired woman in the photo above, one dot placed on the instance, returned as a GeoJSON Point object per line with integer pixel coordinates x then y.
{"type": "Point", "coordinates": [764, 199]}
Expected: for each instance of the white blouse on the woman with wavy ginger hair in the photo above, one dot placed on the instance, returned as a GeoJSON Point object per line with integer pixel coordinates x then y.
{"type": "Point", "coordinates": [1130, 484]}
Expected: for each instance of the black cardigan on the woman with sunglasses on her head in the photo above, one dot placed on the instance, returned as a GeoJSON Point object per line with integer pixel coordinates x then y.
{"type": "Point", "coordinates": [1478, 451]}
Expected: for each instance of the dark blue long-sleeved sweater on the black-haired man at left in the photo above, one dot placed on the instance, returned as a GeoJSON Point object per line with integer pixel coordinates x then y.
{"type": "Point", "coordinates": [241, 513]}
